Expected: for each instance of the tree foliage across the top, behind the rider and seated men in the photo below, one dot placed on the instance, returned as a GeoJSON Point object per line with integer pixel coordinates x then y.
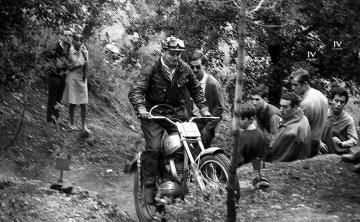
{"type": "Point", "coordinates": [281, 32]}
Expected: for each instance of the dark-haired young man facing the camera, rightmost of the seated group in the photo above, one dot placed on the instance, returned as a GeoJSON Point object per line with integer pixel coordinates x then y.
{"type": "Point", "coordinates": [340, 131]}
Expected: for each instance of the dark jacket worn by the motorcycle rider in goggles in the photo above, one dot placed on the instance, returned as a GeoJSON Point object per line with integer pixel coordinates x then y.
{"type": "Point", "coordinates": [153, 87]}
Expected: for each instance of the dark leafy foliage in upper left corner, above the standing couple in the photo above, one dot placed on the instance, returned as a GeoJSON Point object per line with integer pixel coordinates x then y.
{"type": "Point", "coordinates": [29, 28]}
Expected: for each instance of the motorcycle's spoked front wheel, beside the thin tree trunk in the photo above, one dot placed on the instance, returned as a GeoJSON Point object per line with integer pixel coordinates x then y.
{"type": "Point", "coordinates": [214, 171]}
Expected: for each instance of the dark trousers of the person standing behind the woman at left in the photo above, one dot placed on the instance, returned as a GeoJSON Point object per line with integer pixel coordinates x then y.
{"type": "Point", "coordinates": [56, 88]}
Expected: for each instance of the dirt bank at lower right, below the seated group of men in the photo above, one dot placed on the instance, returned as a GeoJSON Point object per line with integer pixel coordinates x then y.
{"type": "Point", "coordinates": [323, 188]}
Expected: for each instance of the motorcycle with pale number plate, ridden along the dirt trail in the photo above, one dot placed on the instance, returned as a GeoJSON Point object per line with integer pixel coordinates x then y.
{"type": "Point", "coordinates": [181, 165]}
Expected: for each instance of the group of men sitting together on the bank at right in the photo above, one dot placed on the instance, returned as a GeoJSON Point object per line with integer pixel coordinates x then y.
{"type": "Point", "coordinates": [305, 125]}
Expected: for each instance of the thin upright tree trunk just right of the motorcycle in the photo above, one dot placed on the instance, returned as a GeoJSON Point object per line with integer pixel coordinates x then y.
{"type": "Point", "coordinates": [231, 217]}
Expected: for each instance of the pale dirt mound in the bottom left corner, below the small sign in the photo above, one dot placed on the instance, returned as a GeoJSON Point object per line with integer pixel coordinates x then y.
{"type": "Point", "coordinates": [32, 200]}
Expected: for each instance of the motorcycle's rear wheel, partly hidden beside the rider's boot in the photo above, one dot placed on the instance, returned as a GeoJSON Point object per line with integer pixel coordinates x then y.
{"type": "Point", "coordinates": [144, 211]}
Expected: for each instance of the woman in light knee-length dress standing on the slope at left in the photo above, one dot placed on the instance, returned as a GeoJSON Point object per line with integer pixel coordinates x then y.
{"type": "Point", "coordinates": [76, 90]}
